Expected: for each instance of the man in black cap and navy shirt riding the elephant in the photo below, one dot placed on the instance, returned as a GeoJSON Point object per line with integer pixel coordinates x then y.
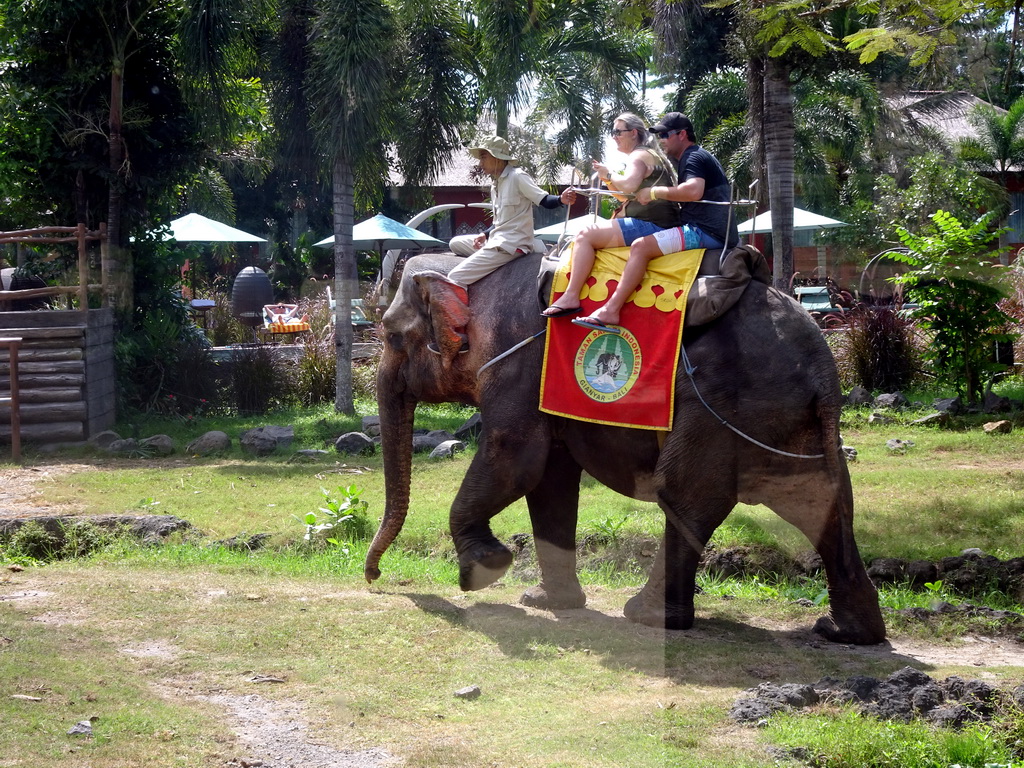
{"type": "Point", "coordinates": [702, 226]}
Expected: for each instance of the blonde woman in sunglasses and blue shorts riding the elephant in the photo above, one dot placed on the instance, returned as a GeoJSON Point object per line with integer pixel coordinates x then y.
{"type": "Point", "coordinates": [646, 166]}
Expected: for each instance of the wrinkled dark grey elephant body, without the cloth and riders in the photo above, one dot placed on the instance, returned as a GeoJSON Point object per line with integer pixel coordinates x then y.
{"type": "Point", "coordinates": [763, 366]}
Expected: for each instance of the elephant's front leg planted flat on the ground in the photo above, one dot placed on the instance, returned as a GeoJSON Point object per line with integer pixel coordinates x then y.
{"type": "Point", "coordinates": [553, 510]}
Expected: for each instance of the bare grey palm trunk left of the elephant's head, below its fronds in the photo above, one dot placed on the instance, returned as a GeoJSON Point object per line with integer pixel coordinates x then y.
{"type": "Point", "coordinates": [346, 284]}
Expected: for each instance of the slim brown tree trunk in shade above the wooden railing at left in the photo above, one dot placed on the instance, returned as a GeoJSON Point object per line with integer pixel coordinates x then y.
{"type": "Point", "coordinates": [120, 267]}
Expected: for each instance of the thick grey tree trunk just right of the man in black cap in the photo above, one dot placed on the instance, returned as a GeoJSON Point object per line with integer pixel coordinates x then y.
{"type": "Point", "coordinates": [779, 133]}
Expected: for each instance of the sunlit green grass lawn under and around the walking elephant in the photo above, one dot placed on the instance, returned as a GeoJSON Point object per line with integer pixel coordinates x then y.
{"type": "Point", "coordinates": [176, 651]}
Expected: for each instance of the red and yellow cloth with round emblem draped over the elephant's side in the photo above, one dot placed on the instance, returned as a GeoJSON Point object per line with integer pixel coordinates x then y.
{"type": "Point", "coordinates": [625, 379]}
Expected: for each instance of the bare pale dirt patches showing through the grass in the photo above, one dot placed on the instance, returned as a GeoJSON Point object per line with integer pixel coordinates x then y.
{"type": "Point", "coordinates": [276, 736]}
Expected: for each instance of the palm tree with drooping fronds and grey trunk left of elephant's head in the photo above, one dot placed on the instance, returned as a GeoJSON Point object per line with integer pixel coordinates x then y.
{"type": "Point", "coordinates": [379, 77]}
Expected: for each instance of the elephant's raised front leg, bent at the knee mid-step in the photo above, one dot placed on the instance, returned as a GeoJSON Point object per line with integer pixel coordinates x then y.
{"type": "Point", "coordinates": [509, 464]}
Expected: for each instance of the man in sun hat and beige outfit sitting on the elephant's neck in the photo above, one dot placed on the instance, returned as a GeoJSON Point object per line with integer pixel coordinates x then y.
{"type": "Point", "coordinates": [514, 195]}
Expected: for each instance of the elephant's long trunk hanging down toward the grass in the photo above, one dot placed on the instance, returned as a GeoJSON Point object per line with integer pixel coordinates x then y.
{"type": "Point", "coordinates": [397, 414]}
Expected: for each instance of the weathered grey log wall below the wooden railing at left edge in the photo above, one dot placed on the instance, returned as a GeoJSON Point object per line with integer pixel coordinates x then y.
{"type": "Point", "coordinates": [66, 374]}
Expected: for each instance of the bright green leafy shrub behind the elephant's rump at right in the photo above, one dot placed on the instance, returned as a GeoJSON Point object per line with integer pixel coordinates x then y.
{"type": "Point", "coordinates": [956, 282]}
